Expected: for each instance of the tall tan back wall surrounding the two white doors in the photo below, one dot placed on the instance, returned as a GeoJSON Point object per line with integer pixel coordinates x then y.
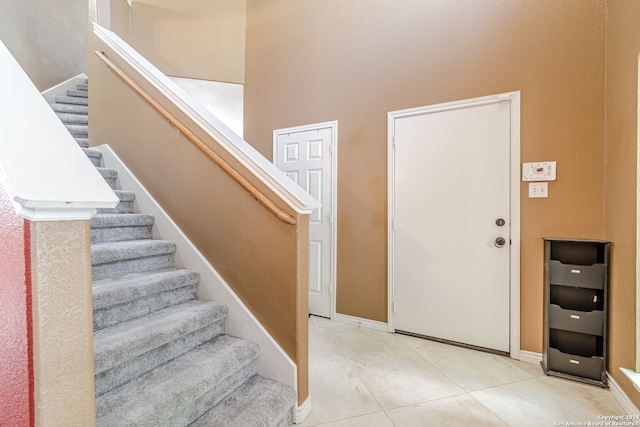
{"type": "Point", "coordinates": [355, 61]}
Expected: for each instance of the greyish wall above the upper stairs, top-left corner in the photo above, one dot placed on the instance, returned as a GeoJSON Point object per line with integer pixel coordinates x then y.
{"type": "Point", "coordinates": [47, 38]}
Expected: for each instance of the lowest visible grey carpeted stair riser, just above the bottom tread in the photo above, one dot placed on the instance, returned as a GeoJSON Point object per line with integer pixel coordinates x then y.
{"type": "Point", "coordinates": [215, 395]}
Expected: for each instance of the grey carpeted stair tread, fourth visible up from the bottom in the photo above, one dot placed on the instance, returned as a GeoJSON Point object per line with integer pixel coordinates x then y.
{"type": "Point", "coordinates": [111, 292]}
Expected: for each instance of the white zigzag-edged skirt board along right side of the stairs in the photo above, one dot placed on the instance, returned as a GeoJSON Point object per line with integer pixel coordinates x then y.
{"type": "Point", "coordinates": [273, 363]}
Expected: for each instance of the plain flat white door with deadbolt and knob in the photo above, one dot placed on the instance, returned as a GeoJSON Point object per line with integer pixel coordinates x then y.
{"type": "Point", "coordinates": [451, 207]}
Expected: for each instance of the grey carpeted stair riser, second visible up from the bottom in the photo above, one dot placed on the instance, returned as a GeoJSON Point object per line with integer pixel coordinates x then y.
{"type": "Point", "coordinates": [115, 377]}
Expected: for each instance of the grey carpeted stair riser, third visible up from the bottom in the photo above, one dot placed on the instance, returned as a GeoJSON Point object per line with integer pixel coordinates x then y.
{"type": "Point", "coordinates": [150, 303]}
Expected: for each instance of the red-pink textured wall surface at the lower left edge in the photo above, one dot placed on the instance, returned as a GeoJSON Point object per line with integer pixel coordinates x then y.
{"type": "Point", "coordinates": [16, 361]}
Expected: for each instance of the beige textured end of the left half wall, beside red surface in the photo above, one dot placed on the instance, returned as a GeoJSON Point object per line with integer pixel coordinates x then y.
{"type": "Point", "coordinates": [62, 323]}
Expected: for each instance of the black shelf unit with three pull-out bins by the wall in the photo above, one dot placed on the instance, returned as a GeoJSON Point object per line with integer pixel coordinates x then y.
{"type": "Point", "coordinates": [576, 276]}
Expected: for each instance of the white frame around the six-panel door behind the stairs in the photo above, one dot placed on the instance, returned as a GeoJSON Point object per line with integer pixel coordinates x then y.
{"type": "Point", "coordinates": [333, 125]}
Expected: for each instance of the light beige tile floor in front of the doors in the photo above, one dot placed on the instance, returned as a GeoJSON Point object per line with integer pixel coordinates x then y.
{"type": "Point", "coordinates": [363, 377]}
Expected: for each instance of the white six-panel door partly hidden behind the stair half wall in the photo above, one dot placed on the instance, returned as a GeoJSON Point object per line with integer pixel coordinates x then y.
{"type": "Point", "coordinates": [307, 155]}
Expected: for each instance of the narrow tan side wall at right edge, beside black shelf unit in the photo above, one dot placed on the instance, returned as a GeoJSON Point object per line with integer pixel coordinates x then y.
{"type": "Point", "coordinates": [623, 46]}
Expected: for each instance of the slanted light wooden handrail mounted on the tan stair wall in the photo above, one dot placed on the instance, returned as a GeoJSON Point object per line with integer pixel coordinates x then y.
{"type": "Point", "coordinates": [257, 194]}
